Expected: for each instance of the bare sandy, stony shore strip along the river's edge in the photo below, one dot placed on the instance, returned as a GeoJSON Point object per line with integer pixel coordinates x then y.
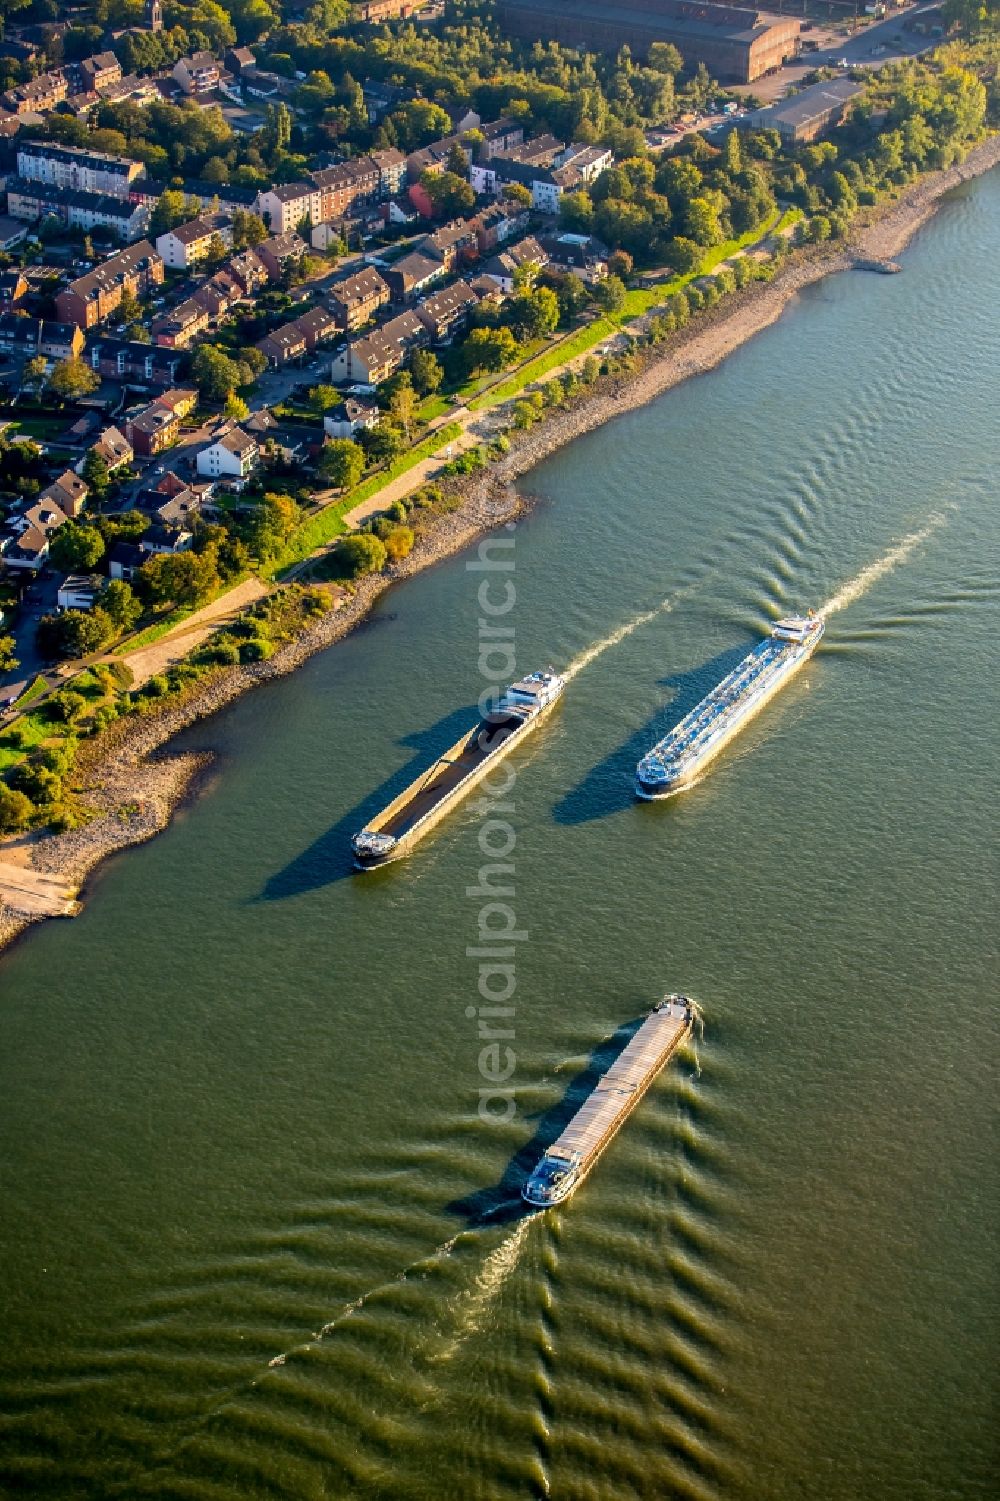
{"type": "Point", "coordinates": [134, 790]}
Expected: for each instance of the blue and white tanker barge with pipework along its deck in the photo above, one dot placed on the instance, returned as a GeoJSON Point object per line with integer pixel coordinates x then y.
{"type": "Point", "coordinates": [681, 756]}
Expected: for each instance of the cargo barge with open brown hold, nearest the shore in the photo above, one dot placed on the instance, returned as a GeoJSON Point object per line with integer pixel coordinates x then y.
{"type": "Point", "coordinates": [396, 831]}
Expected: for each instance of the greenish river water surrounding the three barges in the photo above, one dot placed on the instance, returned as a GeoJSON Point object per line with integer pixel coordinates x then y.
{"type": "Point", "coordinates": [258, 1239]}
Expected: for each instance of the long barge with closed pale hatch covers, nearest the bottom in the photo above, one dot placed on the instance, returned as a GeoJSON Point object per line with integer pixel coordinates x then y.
{"type": "Point", "coordinates": [573, 1155]}
